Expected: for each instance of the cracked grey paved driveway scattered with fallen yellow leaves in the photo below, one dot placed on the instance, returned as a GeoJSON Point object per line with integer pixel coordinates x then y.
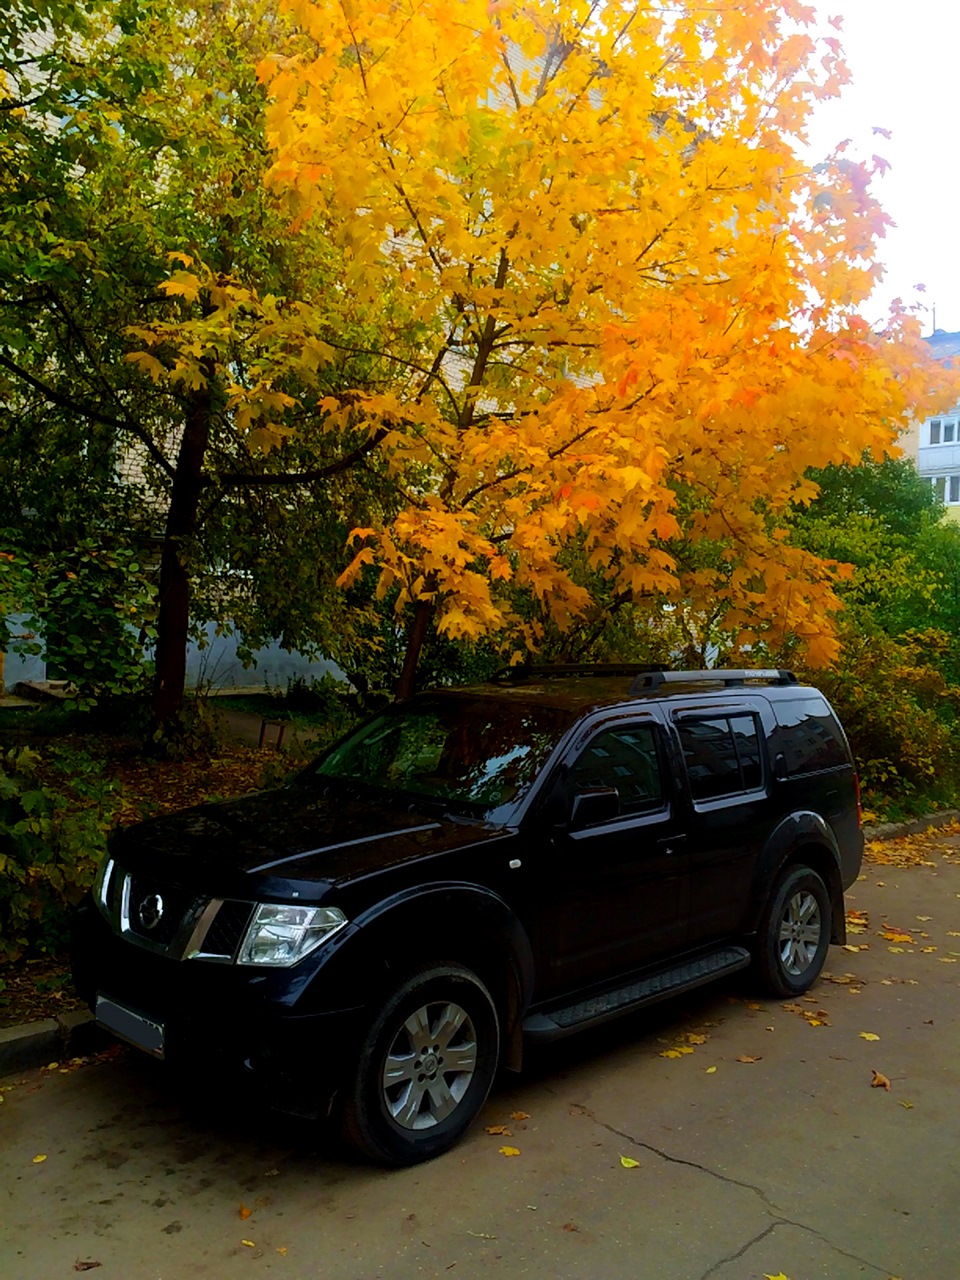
{"type": "Point", "coordinates": [790, 1164]}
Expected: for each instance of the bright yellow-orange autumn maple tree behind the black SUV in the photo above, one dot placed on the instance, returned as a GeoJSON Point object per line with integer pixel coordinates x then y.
{"type": "Point", "coordinates": [619, 310]}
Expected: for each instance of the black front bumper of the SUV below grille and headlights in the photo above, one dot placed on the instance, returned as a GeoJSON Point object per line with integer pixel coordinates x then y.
{"type": "Point", "coordinates": [225, 1020]}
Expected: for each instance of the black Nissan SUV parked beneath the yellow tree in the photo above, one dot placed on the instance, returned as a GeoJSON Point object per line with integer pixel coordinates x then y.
{"type": "Point", "coordinates": [474, 870]}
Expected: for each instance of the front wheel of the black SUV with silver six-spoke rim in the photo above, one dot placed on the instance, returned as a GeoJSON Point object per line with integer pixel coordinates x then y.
{"type": "Point", "coordinates": [426, 1068]}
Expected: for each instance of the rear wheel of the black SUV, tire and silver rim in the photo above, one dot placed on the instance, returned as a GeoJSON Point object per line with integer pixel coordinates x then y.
{"type": "Point", "coordinates": [794, 934]}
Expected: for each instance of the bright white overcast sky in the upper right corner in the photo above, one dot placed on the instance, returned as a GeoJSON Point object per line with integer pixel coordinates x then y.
{"type": "Point", "coordinates": [904, 57]}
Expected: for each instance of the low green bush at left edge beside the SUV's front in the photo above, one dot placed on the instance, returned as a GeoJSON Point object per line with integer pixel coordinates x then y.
{"type": "Point", "coordinates": [54, 816]}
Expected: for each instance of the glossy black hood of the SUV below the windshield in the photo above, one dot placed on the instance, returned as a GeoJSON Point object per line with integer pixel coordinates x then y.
{"type": "Point", "coordinates": [295, 834]}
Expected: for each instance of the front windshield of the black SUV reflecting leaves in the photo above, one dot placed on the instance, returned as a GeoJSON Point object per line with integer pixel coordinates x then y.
{"type": "Point", "coordinates": [473, 755]}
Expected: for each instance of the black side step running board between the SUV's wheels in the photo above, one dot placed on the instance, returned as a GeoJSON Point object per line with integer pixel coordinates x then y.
{"type": "Point", "coordinates": [646, 991]}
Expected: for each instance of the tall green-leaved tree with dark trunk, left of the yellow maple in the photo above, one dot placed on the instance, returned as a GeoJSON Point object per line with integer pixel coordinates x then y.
{"type": "Point", "coordinates": [132, 149]}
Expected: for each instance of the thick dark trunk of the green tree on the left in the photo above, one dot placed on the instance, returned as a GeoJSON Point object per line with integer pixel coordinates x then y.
{"type": "Point", "coordinates": [173, 614]}
